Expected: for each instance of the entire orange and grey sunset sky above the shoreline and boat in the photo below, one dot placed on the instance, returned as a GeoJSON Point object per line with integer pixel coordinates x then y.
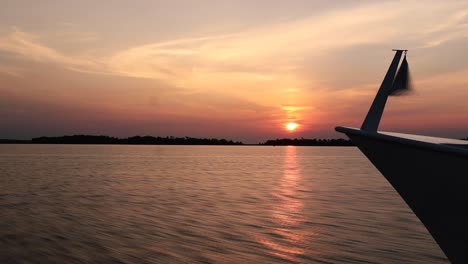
{"type": "Point", "coordinates": [232, 69]}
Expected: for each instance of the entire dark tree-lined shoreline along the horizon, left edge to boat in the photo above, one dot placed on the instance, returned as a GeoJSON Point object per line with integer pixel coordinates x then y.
{"type": "Point", "coordinates": [185, 141]}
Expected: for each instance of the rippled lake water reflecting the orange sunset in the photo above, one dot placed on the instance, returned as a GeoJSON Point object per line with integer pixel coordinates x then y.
{"type": "Point", "coordinates": [202, 204]}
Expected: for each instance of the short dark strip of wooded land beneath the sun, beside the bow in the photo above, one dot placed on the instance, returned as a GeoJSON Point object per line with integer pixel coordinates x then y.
{"type": "Point", "coordinates": [308, 142]}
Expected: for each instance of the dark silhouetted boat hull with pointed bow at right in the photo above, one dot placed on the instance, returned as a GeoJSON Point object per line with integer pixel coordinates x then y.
{"type": "Point", "coordinates": [433, 181]}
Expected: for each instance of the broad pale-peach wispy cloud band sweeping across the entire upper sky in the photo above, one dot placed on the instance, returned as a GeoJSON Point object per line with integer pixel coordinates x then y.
{"type": "Point", "coordinates": [265, 53]}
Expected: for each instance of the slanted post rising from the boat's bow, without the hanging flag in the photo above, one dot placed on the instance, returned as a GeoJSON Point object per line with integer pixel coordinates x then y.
{"type": "Point", "coordinates": [372, 121]}
